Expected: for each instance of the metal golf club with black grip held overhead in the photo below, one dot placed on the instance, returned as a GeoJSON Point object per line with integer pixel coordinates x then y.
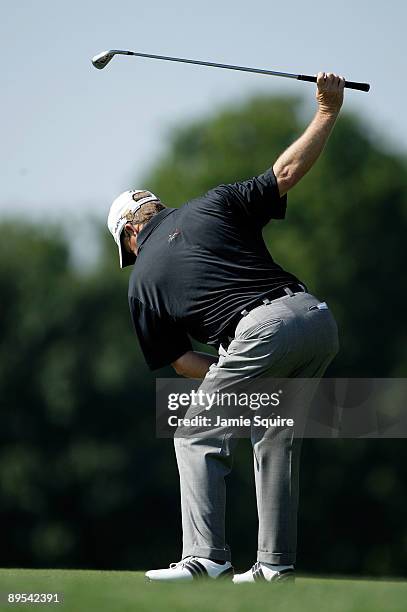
{"type": "Point", "coordinates": [102, 59]}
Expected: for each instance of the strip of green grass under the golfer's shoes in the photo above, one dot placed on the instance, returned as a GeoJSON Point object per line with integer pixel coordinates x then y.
{"type": "Point", "coordinates": [126, 591]}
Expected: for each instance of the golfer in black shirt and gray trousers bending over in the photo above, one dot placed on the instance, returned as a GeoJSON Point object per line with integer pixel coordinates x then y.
{"type": "Point", "coordinates": [203, 271]}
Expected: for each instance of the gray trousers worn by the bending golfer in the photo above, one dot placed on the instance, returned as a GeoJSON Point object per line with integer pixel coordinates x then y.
{"type": "Point", "coordinates": [290, 337]}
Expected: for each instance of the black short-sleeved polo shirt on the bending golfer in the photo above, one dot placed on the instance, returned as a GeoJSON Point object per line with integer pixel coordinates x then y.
{"type": "Point", "coordinates": [199, 265]}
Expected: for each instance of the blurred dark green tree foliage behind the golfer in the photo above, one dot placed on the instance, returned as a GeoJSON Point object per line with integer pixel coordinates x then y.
{"type": "Point", "coordinates": [83, 481]}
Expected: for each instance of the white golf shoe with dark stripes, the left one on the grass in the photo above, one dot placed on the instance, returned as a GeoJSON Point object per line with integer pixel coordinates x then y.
{"type": "Point", "coordinates": [191, 568]}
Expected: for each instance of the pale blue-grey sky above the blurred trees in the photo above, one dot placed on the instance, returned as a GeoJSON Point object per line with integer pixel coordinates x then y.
{"type": "Point", "coordinates": [73, 137]}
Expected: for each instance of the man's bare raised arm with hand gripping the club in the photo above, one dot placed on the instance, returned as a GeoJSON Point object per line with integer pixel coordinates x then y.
{"type": "Point", "coordinates": [295, 162]}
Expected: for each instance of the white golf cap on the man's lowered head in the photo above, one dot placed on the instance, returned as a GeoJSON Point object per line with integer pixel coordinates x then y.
{"type": "Point", "coordinates": [121, 212]}
